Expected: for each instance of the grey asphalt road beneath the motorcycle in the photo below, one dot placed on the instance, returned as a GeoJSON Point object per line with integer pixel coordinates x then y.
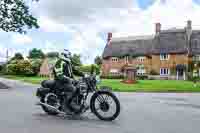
{"type": "Point", "coordinates": [140, 113]}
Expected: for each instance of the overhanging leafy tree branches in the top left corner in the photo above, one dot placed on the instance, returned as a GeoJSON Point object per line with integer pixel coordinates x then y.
{"type": "Point", "coordinates": [15, 16]}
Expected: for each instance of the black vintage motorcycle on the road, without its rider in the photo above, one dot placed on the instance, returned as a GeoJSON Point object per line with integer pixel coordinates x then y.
{"type": "Point", "coordinates": [103, 103]}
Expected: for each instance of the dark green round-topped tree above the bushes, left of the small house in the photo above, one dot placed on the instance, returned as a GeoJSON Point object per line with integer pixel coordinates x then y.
{"type": "Point", "coordinates": [36, 54]}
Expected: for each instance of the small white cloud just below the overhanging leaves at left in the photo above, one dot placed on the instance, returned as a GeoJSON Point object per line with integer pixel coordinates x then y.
{"type": "Point", "coordinates": [21, 39]}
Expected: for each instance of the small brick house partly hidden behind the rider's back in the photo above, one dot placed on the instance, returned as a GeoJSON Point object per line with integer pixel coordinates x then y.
{"type": "Point", "coordinates": [46, 68]}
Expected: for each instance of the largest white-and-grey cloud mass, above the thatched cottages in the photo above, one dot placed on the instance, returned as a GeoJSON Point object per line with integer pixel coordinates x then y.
{"type": "Point", "coordinates": [123, 18]}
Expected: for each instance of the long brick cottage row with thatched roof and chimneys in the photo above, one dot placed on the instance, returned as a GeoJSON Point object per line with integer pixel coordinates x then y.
{"type": "Point", "coordinates": [167, 54]}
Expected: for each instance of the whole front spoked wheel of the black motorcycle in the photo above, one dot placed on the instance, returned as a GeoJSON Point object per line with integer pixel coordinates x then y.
{"type": "Point", "coordinates": [105, 106]}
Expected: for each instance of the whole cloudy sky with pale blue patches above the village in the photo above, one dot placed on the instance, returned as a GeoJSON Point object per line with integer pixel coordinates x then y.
{"type": "Point", "coordinates": [82, 26]}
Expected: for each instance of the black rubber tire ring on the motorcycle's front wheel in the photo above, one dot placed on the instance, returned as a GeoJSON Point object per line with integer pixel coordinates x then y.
{"type": "Point", "coordinates": [114, 98]}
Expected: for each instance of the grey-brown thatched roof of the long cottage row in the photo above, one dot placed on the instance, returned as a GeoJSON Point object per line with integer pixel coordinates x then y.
{"type": "Point", "coordinates": [168, 41]}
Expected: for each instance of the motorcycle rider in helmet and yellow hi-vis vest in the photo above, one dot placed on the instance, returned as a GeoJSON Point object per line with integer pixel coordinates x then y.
{"type": "Point", "coordinates": [63, 74]}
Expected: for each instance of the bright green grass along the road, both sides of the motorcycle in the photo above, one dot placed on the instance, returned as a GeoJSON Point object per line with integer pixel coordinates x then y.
{"type": "Point", "coordinates": [140, 86]}
